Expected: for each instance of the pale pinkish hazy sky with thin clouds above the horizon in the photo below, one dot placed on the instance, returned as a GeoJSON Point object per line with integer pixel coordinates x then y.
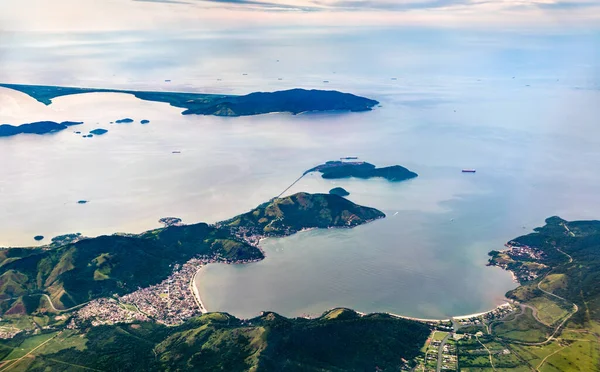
{"type": "Point", "coordinates": [120, 15]}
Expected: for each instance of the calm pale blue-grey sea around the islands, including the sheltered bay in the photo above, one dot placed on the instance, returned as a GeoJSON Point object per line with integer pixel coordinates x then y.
{"type": "Point", "coordinates": [521, 109]}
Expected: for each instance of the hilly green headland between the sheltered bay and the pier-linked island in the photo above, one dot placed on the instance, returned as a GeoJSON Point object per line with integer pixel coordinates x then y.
{"type": "Point", "coordinates": [285, 216]}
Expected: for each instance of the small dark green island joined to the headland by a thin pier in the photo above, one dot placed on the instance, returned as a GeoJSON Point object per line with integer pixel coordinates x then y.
{"type": "Point", "coordinates": [339, 169]}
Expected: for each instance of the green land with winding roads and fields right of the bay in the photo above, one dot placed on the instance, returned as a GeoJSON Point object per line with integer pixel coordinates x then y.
{"type": "Point", "coordinates": [557, 325]}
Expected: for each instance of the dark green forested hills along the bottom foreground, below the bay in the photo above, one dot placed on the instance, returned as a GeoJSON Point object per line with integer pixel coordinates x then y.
{"type": "Point", "coordinates": [340, 340]}
